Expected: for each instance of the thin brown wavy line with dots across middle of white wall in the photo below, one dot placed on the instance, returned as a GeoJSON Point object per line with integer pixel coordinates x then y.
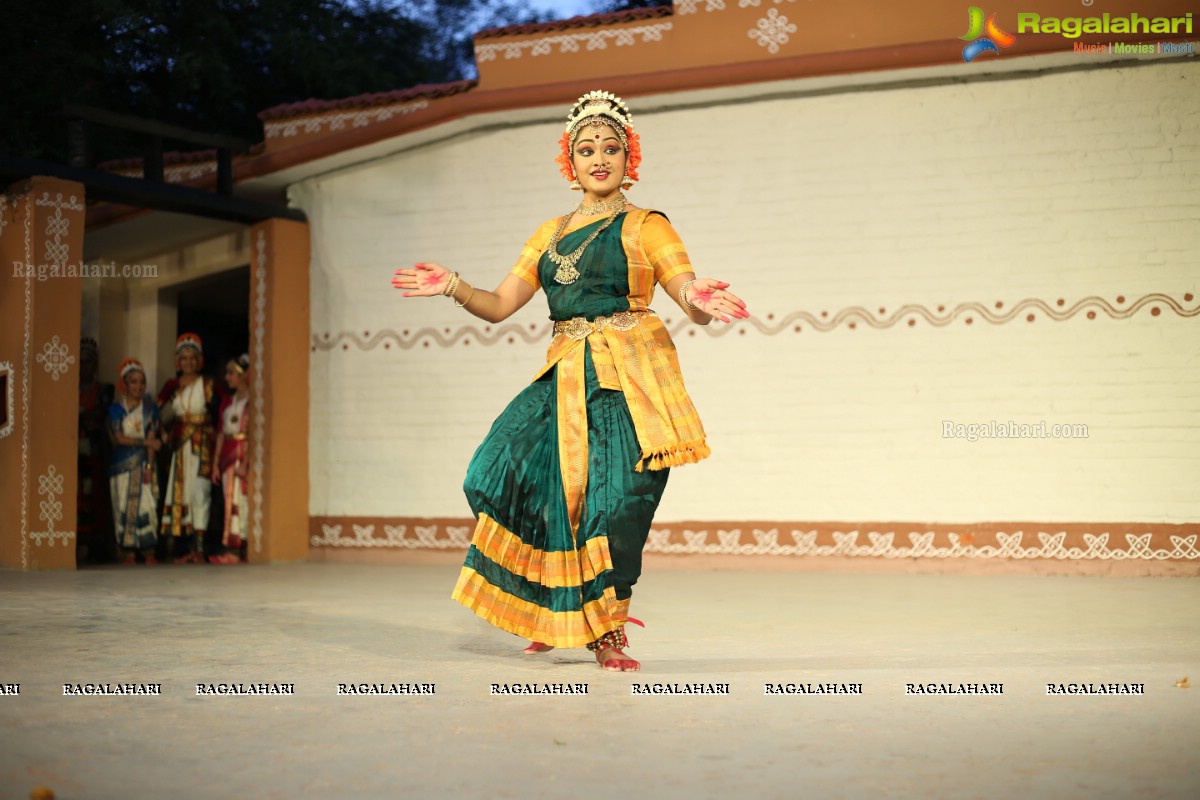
{"type": "Point", "coordinates": [796, 322]}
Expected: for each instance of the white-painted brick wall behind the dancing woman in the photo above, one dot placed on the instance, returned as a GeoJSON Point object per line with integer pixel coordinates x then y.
{"type": "Point", "coordinates": [1066, 187]}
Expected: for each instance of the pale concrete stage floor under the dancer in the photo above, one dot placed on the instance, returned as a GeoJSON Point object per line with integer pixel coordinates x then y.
{"type": "Point", "coordinates": [320, 625]}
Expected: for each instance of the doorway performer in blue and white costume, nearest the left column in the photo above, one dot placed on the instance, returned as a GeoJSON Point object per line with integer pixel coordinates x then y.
{"type": "Point", "coordinates": [133, 476]}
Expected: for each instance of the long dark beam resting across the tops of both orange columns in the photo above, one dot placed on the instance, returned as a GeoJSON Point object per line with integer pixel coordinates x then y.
{"type": "Point", "coordinates": [149, 195]}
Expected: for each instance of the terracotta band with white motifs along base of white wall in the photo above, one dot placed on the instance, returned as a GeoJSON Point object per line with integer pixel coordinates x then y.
{"type": "Point", "coordinates": [806, 540]}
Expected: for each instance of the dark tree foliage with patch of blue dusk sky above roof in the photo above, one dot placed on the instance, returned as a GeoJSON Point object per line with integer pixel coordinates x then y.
{"type": "Point", "coordinates": [213, 65]}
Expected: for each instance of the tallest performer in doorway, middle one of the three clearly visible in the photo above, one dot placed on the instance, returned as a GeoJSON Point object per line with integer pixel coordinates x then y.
{"type": "Point", "coordinates": [185, 404]}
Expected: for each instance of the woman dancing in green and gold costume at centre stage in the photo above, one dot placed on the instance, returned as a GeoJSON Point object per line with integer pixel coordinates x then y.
{"type": "Point", "coordinates": [566, 485]}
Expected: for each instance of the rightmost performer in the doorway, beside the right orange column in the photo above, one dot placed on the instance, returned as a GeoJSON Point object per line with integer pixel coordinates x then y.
{"type": "Point", "coordinates": [231, 467]}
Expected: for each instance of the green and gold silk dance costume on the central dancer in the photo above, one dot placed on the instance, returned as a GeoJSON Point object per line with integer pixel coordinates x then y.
{"type": "Point", "coordinates": [566, 485]}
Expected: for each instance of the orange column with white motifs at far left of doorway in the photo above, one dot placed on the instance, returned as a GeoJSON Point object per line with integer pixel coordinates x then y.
{"type": "Point", "coordinates": [41, 254]}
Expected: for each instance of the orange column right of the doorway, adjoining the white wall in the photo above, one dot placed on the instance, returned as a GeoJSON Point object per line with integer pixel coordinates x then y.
{"type": "Point", "coordinates": [279, 381]}
